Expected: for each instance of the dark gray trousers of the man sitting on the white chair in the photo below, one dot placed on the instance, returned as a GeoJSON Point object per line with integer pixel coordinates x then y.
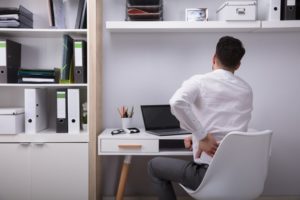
{"type": "Point", "coordinates": [163, 171]}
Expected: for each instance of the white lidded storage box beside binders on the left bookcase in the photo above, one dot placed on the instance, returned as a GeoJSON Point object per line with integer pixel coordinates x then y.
{"type": "Point", "coordinates": [11, 120]}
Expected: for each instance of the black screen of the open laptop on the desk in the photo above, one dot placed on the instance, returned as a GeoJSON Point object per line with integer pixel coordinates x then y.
{"type": "Point", "coordinates": [158, 117]}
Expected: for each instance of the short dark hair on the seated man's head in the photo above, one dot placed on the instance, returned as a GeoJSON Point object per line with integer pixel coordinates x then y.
{"type": "Point", "coordinates": [230, 51]}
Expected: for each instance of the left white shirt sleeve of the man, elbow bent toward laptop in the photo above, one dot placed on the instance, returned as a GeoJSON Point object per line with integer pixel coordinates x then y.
{"type": "Point", "coordinates": [181, 107]}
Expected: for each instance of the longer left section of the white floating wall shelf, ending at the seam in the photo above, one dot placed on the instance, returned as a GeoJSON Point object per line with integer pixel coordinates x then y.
{"type": "Point", "coordinates": [182, 26]}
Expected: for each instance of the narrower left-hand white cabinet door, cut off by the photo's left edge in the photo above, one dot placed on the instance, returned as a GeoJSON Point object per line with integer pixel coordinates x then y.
{"type": "Point", "coordinates": [14, 171]}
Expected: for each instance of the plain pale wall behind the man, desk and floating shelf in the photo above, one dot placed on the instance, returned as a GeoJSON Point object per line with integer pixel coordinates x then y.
{"type": "Point", "coordinates": [146, 68]}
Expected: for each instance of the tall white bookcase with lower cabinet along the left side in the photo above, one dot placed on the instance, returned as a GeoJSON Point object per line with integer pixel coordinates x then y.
{"type": "Point", "coordinates": [47, 178]}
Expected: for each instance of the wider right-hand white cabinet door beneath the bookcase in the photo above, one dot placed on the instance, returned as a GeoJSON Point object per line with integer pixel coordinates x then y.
{"type": "Point", "coordinates": [59, 171]}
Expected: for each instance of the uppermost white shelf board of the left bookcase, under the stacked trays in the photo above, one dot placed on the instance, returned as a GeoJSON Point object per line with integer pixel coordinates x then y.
{"type": "Point", "coordinates": [41, 33]}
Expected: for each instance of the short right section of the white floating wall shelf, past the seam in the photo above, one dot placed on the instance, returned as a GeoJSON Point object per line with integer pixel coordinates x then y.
{"type": "Point", "coordinates": [286, 26]}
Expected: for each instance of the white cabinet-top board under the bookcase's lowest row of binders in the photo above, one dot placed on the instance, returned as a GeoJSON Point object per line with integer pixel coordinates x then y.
{"type": "Point", "coordinates": [44, 137]}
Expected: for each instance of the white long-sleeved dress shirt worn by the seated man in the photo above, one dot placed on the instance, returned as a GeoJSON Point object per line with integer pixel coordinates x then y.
{"type": "Point", "coordinates": [217, 102]}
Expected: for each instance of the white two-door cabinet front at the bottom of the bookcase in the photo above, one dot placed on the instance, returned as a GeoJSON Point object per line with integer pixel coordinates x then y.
{"type": "Point", "coordinates": [44, 171]}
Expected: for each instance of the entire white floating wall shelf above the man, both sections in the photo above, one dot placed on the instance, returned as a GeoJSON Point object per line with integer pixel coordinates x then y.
{"type": "Point", "coordinates": [207, 26]}
